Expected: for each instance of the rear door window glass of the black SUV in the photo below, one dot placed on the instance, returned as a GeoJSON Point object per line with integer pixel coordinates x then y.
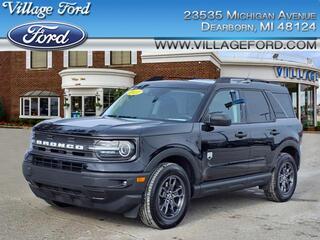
{"type": "Point", "coordinates": [257, 107]}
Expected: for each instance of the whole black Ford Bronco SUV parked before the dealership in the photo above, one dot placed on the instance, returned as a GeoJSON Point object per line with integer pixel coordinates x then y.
{"type": "Point", "coordinates": [165, 142]}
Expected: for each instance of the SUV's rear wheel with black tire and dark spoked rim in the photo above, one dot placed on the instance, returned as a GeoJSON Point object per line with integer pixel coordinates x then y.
{"type": "Point", "coordinates": [284, 179]}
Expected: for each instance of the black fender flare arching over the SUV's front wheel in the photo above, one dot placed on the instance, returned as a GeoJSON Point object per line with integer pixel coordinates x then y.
{"type": "Point", "coordinates": [179, 151]}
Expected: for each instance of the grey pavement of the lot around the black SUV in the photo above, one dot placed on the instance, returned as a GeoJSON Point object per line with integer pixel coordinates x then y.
{"type": "Point", "coordinates": [238, 215]}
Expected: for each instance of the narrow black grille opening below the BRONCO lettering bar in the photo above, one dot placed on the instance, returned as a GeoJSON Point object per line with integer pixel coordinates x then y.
{"type": "Point", "coordinates": [58, 164]}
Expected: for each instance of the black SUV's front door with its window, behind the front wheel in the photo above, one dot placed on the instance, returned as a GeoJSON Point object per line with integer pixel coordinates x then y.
{"type": "Point", "coordinates": [226, 149]}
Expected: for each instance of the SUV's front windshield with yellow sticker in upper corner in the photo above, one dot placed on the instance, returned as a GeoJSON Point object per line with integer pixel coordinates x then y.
{"type": "Point", "coordinates": [157, 103]}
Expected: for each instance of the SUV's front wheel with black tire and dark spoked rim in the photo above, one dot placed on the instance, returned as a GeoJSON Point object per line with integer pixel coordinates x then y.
{"type": "Point", "coordinates": [166, 198]}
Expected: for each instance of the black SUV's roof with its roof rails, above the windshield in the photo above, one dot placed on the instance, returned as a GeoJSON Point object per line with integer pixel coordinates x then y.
{"type": "Point", "coordinates": [206, 83]}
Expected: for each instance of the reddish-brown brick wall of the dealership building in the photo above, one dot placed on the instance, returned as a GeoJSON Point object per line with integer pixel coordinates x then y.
{"type": "Point", "coordinates": [16, 80]}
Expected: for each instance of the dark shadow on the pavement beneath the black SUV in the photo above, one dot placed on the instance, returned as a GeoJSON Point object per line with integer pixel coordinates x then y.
{"type": "Point", "coordinates": [199, 208]}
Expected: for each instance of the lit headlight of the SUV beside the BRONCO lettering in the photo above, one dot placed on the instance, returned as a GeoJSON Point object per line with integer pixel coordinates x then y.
{"type": "Point", "coordinates": [115, 149]}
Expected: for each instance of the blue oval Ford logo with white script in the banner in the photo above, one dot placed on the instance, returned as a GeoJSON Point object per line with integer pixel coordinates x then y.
{"type": "Point", "coordinates": [47, 35]}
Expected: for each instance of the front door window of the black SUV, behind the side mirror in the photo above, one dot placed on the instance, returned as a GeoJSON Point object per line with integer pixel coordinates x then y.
{"type": "Point", "coordinates": [222, 103]}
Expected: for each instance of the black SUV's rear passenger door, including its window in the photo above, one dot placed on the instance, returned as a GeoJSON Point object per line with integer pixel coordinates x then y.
{"type": "Point", "coordinates": [262, 128]}
